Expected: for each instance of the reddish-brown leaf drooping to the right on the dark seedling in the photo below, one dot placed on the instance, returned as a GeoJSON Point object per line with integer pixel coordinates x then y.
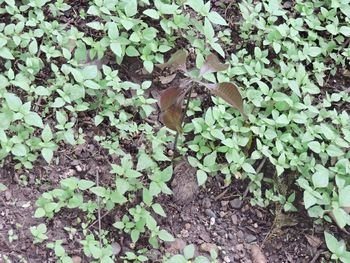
{"type": "Point", "coordinates": [229, 93]}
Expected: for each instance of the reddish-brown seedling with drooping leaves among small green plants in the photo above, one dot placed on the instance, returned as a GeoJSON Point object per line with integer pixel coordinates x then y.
{"type": "Point", "coordinates": [172, 99]}
